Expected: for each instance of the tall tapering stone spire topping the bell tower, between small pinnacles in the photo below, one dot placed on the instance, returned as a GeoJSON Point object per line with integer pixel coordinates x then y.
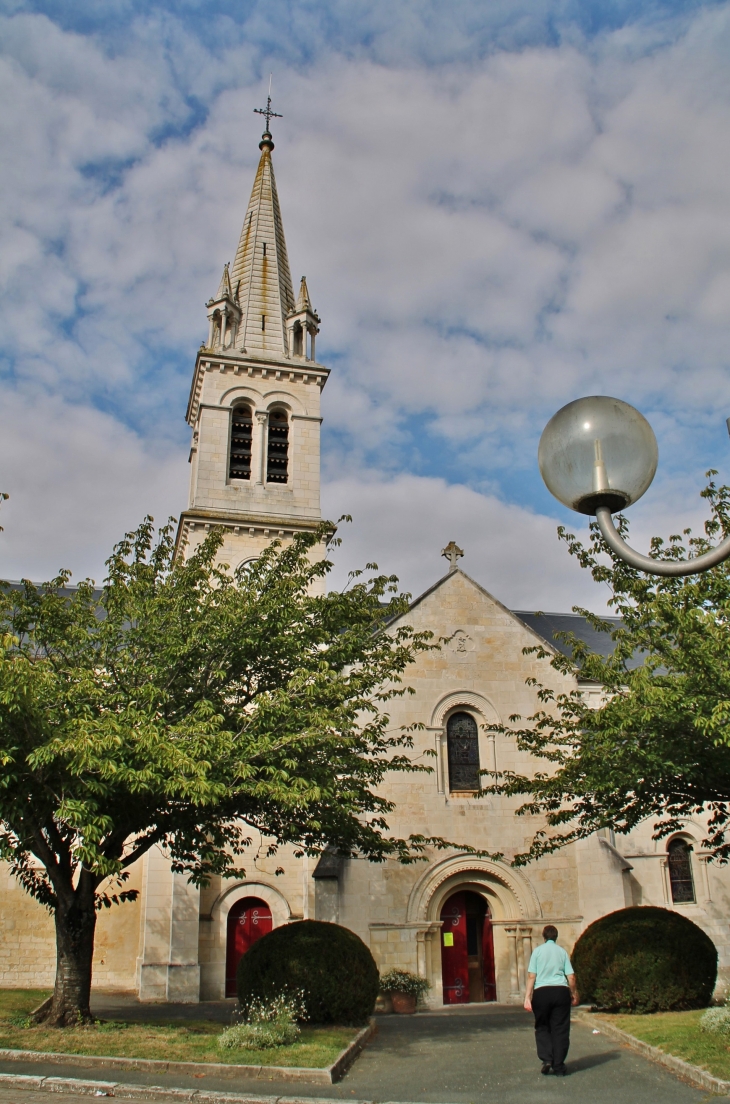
{"type": "Point", "coordinates": [261, 269]}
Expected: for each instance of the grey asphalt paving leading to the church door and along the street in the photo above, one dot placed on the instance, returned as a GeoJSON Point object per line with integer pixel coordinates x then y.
{"type": "Point", "coordinates": [478, 1055]}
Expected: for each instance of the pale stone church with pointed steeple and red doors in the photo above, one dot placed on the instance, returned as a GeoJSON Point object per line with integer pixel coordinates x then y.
{"type": "Point", "coordinates": [468, 926]}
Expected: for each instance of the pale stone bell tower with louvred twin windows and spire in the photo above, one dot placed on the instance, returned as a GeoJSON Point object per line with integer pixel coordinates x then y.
{"type": "Point", "coordinates": [255, 401]}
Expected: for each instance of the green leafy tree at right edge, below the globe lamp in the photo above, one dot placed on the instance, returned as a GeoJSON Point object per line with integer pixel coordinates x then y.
{"type": "Point", "coordinates": [660, 745]}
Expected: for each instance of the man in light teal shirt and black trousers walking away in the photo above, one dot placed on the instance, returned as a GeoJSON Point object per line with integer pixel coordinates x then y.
{"type": "Point", "coordinates": [551, 993]}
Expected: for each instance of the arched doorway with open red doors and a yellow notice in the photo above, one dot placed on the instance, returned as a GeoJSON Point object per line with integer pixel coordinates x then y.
{"type": "Point", "coordinates": [468, 950]}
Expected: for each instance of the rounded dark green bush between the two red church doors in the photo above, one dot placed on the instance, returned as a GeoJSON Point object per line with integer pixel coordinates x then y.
{"type": "Point", "coordinates": [330, 965]}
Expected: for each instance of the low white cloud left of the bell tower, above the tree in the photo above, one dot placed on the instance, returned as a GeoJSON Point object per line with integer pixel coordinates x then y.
{"type": "Point", "coordinates": [78, 482]}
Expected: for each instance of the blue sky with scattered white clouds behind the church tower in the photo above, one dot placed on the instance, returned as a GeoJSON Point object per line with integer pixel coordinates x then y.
{"type": "Point", "coordinates": [500, 207]}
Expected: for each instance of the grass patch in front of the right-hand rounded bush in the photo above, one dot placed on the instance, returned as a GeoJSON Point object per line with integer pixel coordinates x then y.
{"type": "Point", "coordinates": [679, 1034]}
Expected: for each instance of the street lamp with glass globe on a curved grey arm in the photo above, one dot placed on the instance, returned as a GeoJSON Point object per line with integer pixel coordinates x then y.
{"type": "Point", "coordinates": [598, 455]}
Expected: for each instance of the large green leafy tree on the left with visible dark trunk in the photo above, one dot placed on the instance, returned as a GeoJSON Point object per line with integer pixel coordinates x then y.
{"type": "Point", "coordinates": [185, 707]}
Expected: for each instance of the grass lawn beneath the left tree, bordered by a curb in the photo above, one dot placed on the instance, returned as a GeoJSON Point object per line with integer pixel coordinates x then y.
{"type": "Point", "coordinates": [177, 1042]}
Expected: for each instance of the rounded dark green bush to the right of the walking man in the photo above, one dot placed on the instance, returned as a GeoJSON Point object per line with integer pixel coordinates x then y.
{"type": "Point", "coordinates": [646, 960]}
